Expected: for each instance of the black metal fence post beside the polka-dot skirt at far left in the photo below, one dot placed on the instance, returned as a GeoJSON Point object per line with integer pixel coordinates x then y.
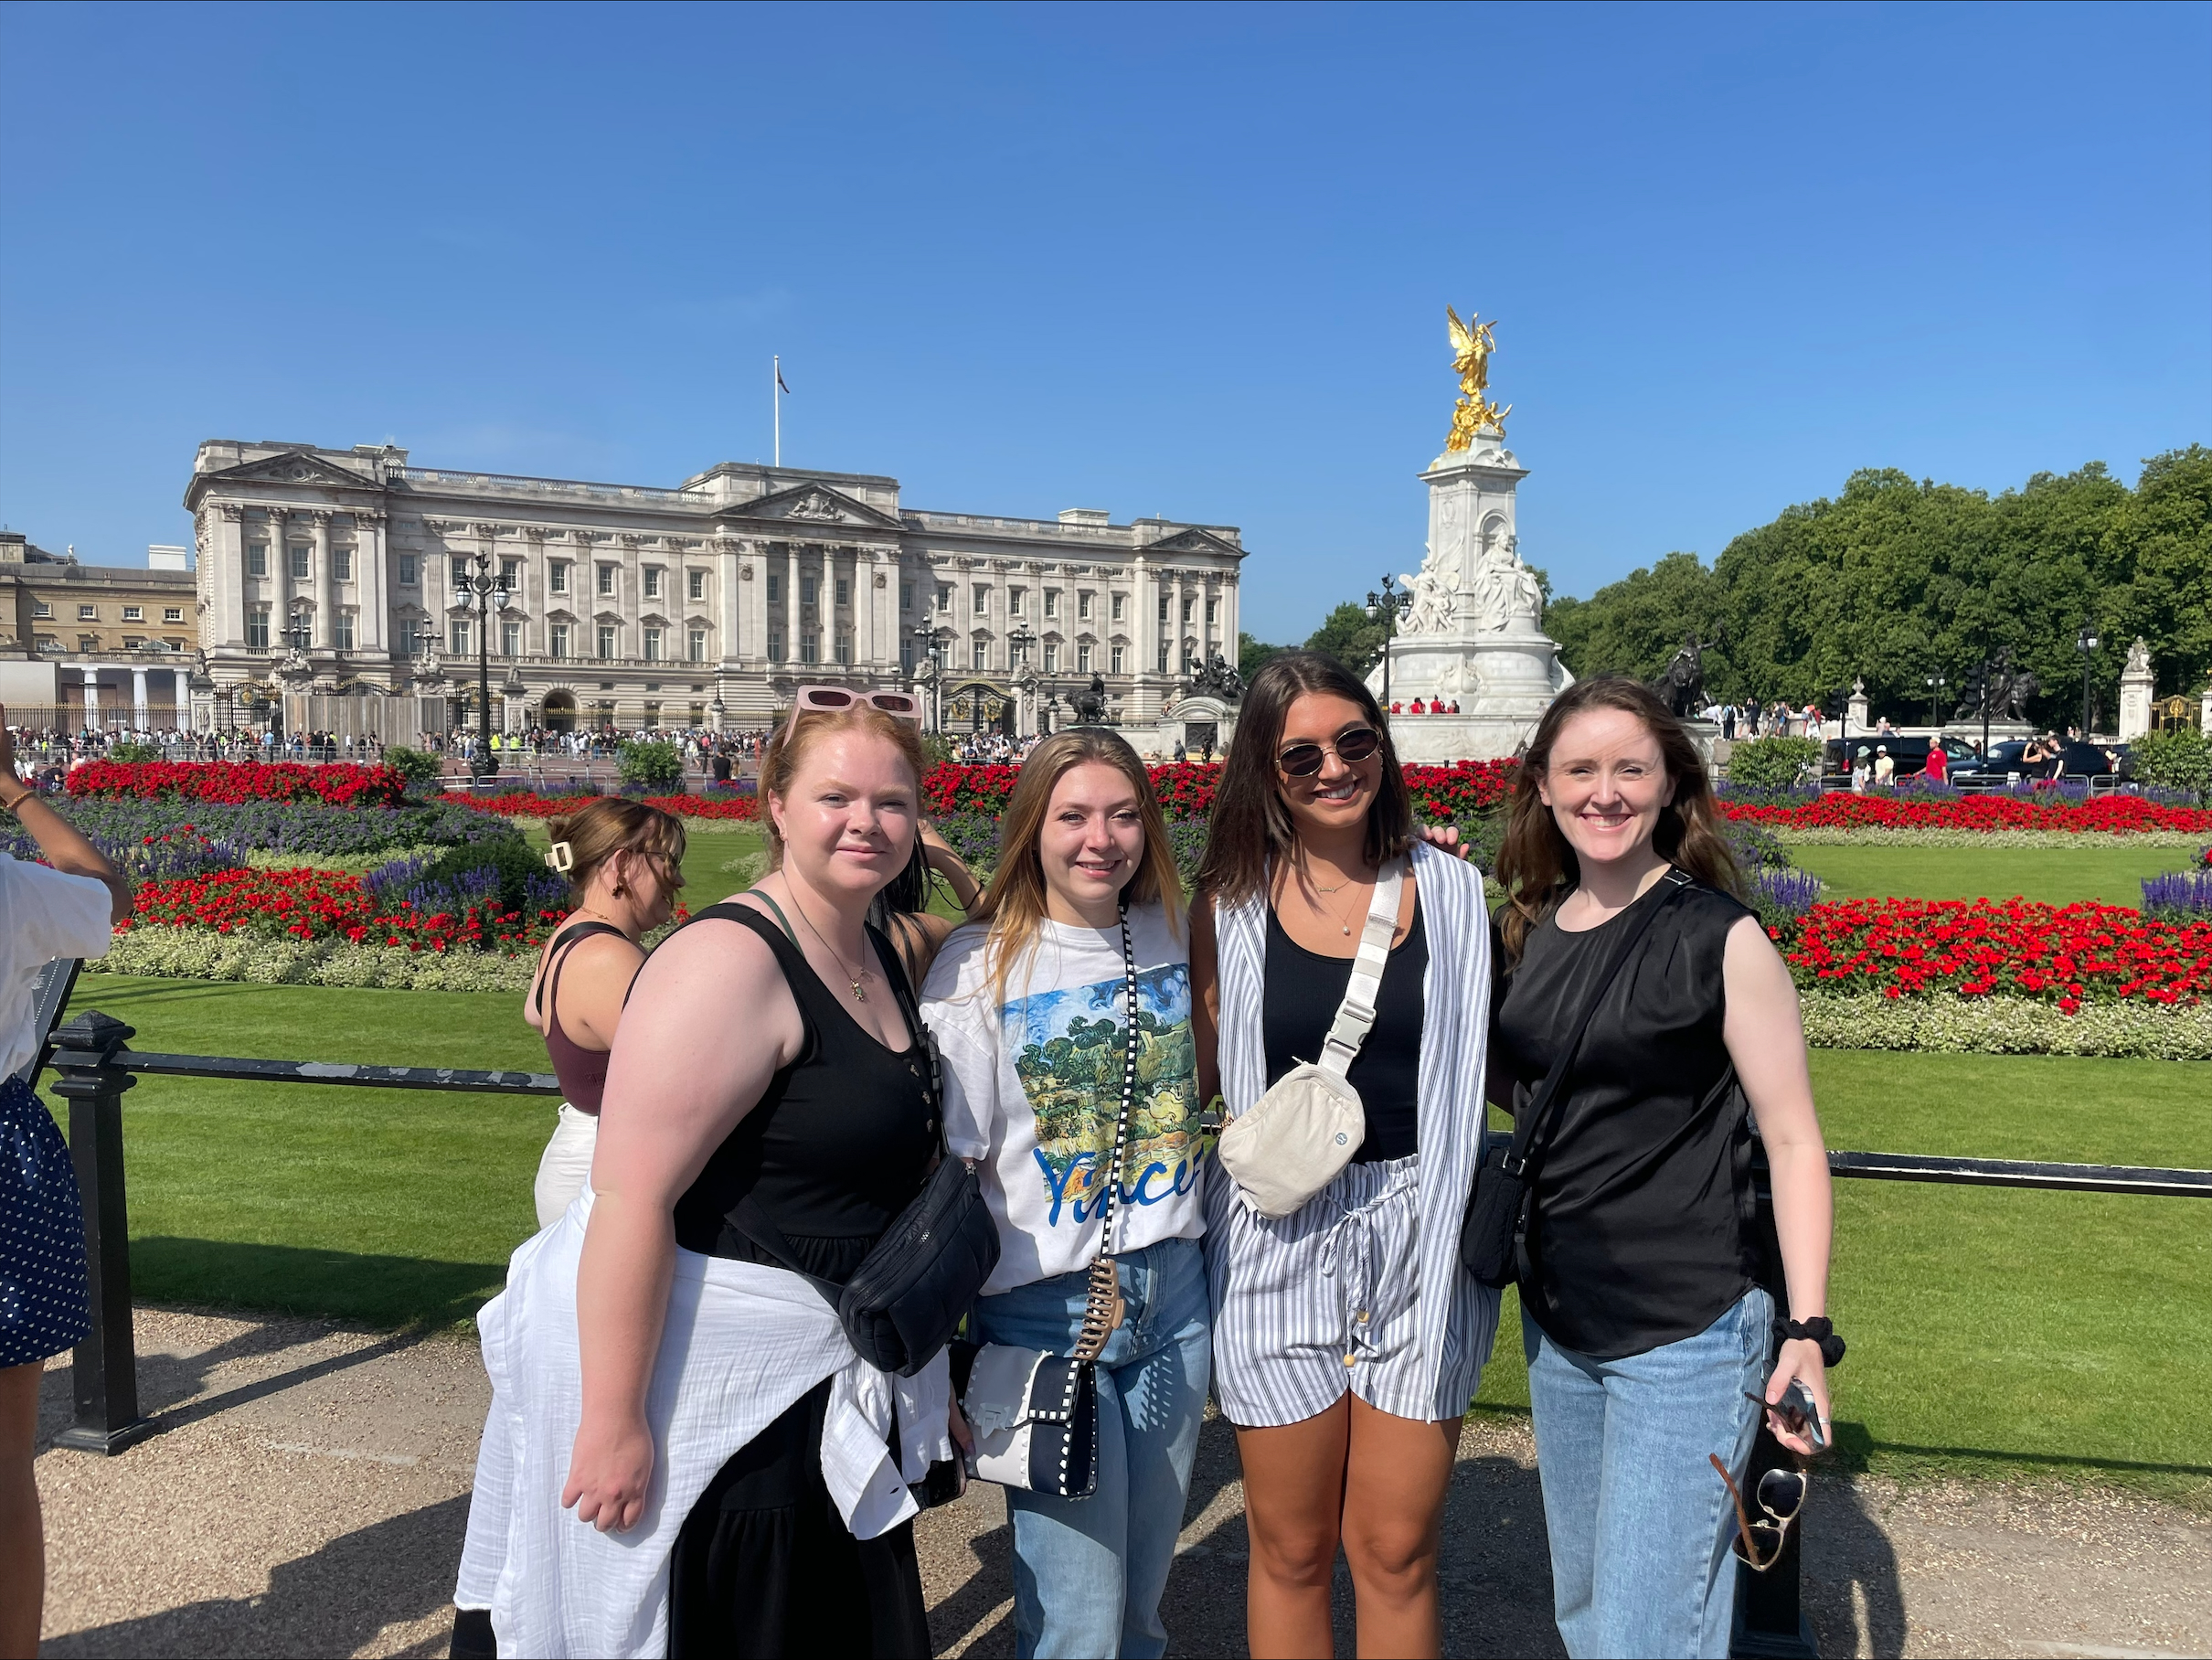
{"type": "Point", "coordinates": [105, 1365]}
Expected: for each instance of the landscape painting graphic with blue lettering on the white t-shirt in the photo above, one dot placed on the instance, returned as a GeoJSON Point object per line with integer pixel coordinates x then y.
{"type": "Point", "coordinates": [1067, 1052]}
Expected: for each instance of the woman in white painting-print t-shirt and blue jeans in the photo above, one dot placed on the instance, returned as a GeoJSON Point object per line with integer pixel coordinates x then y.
{"type": "Point", "coordinates": [1025, 1002]}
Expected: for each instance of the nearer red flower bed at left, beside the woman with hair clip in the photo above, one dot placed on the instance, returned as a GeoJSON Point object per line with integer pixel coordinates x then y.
{"type": "Point", "coordinates": [324, 904]}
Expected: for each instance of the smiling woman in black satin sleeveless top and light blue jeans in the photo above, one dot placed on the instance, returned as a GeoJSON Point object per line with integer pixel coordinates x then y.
{"type": "Point", "coordinates": [1647, 1331]}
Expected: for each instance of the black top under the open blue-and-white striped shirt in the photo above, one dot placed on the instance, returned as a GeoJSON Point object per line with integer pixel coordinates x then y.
{"type": "Point", "coordinates": [1300, 1006]}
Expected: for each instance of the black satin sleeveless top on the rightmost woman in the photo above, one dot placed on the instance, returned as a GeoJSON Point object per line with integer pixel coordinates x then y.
{"type": "Point", "coordinates": [1642, 1225]}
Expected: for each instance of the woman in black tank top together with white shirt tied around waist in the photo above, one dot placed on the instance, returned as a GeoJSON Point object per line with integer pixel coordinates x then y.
{"type": "Point", "coordinates": [766, 1066]}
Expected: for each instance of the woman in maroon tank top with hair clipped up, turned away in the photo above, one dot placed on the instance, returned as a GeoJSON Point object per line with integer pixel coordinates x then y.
{"type": "Point", "coordinates": [625, 867]}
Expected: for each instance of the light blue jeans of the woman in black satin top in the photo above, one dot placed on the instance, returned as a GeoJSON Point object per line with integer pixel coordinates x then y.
{"type": "Point", "coordinates": [1640, 1522]}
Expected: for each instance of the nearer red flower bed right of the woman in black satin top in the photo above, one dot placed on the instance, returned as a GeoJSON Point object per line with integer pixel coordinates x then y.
{"type": "Point", "coordinates": [2065, 955]}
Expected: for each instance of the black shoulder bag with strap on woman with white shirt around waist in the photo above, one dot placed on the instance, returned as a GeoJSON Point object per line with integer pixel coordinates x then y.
{"type": "Point", "coordinates": [919, 1280]}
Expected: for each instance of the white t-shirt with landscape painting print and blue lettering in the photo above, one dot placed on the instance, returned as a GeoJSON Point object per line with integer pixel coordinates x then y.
{"type": "Point", "coordinates": [1034, 1088]}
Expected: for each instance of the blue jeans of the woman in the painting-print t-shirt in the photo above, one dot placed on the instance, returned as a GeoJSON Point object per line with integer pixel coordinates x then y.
{"type": "Point", "coordinates": [1089, 1573]}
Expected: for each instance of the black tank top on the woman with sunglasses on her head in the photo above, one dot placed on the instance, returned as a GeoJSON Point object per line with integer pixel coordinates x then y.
{"type": "Point", "coordinates": [839, 1143]}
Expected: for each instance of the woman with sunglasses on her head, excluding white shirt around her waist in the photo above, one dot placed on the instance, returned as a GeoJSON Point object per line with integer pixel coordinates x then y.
{"type": "Point", "coordinates": [766, 1079]}
